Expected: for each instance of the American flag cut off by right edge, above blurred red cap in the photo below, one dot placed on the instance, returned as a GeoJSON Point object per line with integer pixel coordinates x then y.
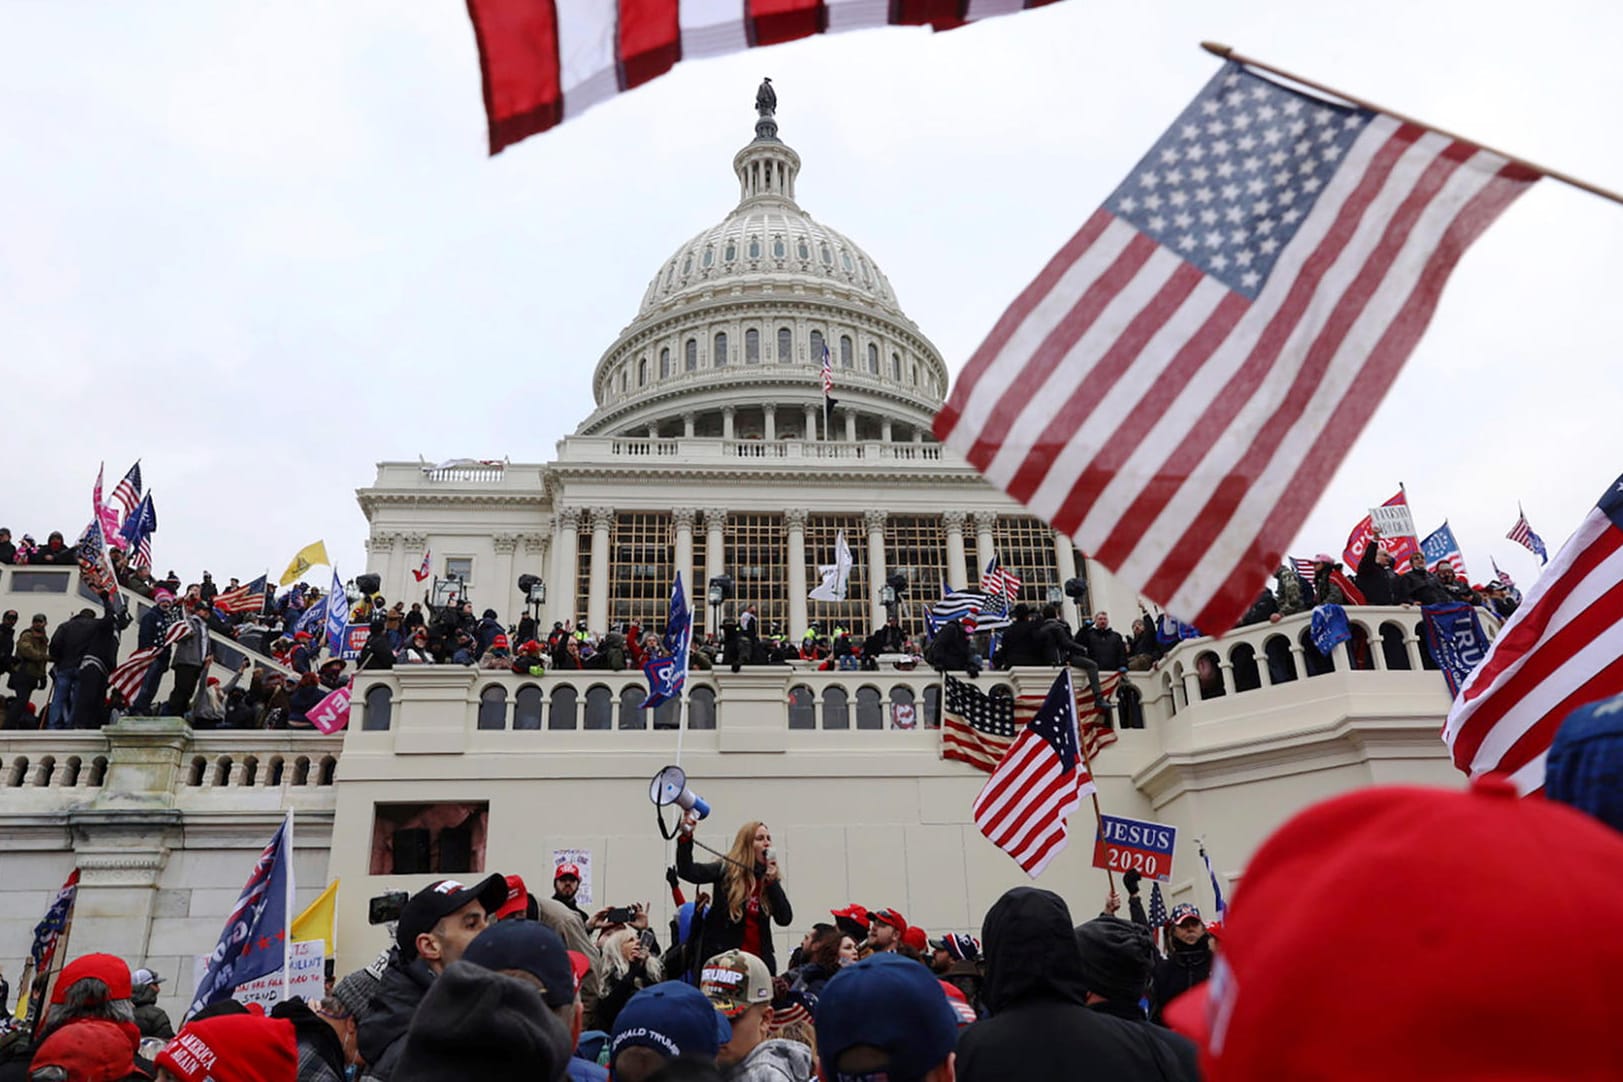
{"type": "Point", "coordinates": [1561, 650]}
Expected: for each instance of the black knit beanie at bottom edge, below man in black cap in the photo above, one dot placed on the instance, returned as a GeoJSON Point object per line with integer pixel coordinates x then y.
{"type": "Point", "coordinates": [480, 1024]}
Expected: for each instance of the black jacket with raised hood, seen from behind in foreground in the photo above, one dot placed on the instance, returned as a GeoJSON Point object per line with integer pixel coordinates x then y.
{"type": "Point", "coordinates": [1041, 1026]}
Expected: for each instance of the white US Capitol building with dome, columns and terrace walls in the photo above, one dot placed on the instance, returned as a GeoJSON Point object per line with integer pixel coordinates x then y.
{"type": "Point", "coordinates": [707, 455]}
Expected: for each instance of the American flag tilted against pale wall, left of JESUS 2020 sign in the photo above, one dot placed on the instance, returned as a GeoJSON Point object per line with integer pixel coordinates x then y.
{"type": "Point", "coordinates": [1041, 781]}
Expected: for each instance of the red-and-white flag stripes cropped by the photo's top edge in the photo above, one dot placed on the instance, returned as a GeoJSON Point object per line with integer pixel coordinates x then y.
{"type": "Point", "coordinates": [551, 61]}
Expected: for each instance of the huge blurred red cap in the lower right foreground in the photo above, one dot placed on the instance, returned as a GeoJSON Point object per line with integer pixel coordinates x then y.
{"type": "Point", "coordinates": [1447, 919]}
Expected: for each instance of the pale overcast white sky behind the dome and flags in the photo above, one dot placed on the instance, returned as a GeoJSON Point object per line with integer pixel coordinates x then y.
{"type": "Point", "coordinates": [260, 246]}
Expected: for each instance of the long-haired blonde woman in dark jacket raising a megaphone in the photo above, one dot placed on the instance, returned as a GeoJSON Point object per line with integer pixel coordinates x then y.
{"type": "Point", "coordinates": [749, 893]}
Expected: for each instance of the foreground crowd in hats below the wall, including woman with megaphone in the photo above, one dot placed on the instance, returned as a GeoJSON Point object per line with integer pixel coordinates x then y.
{"type": "Point", "coordinates": [1322, 971]}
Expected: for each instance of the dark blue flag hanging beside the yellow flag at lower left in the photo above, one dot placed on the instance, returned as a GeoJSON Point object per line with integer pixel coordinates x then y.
{"type": "Point", "coordinates": [256, 940]}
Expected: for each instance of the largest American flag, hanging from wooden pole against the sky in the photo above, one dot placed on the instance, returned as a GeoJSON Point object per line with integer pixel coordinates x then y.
{"type": "Point", "coordinates": [1186, 376]}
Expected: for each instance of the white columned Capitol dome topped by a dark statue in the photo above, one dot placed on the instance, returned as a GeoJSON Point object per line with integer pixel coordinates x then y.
{"type": "Point", "coordinates": [733, 328]}
